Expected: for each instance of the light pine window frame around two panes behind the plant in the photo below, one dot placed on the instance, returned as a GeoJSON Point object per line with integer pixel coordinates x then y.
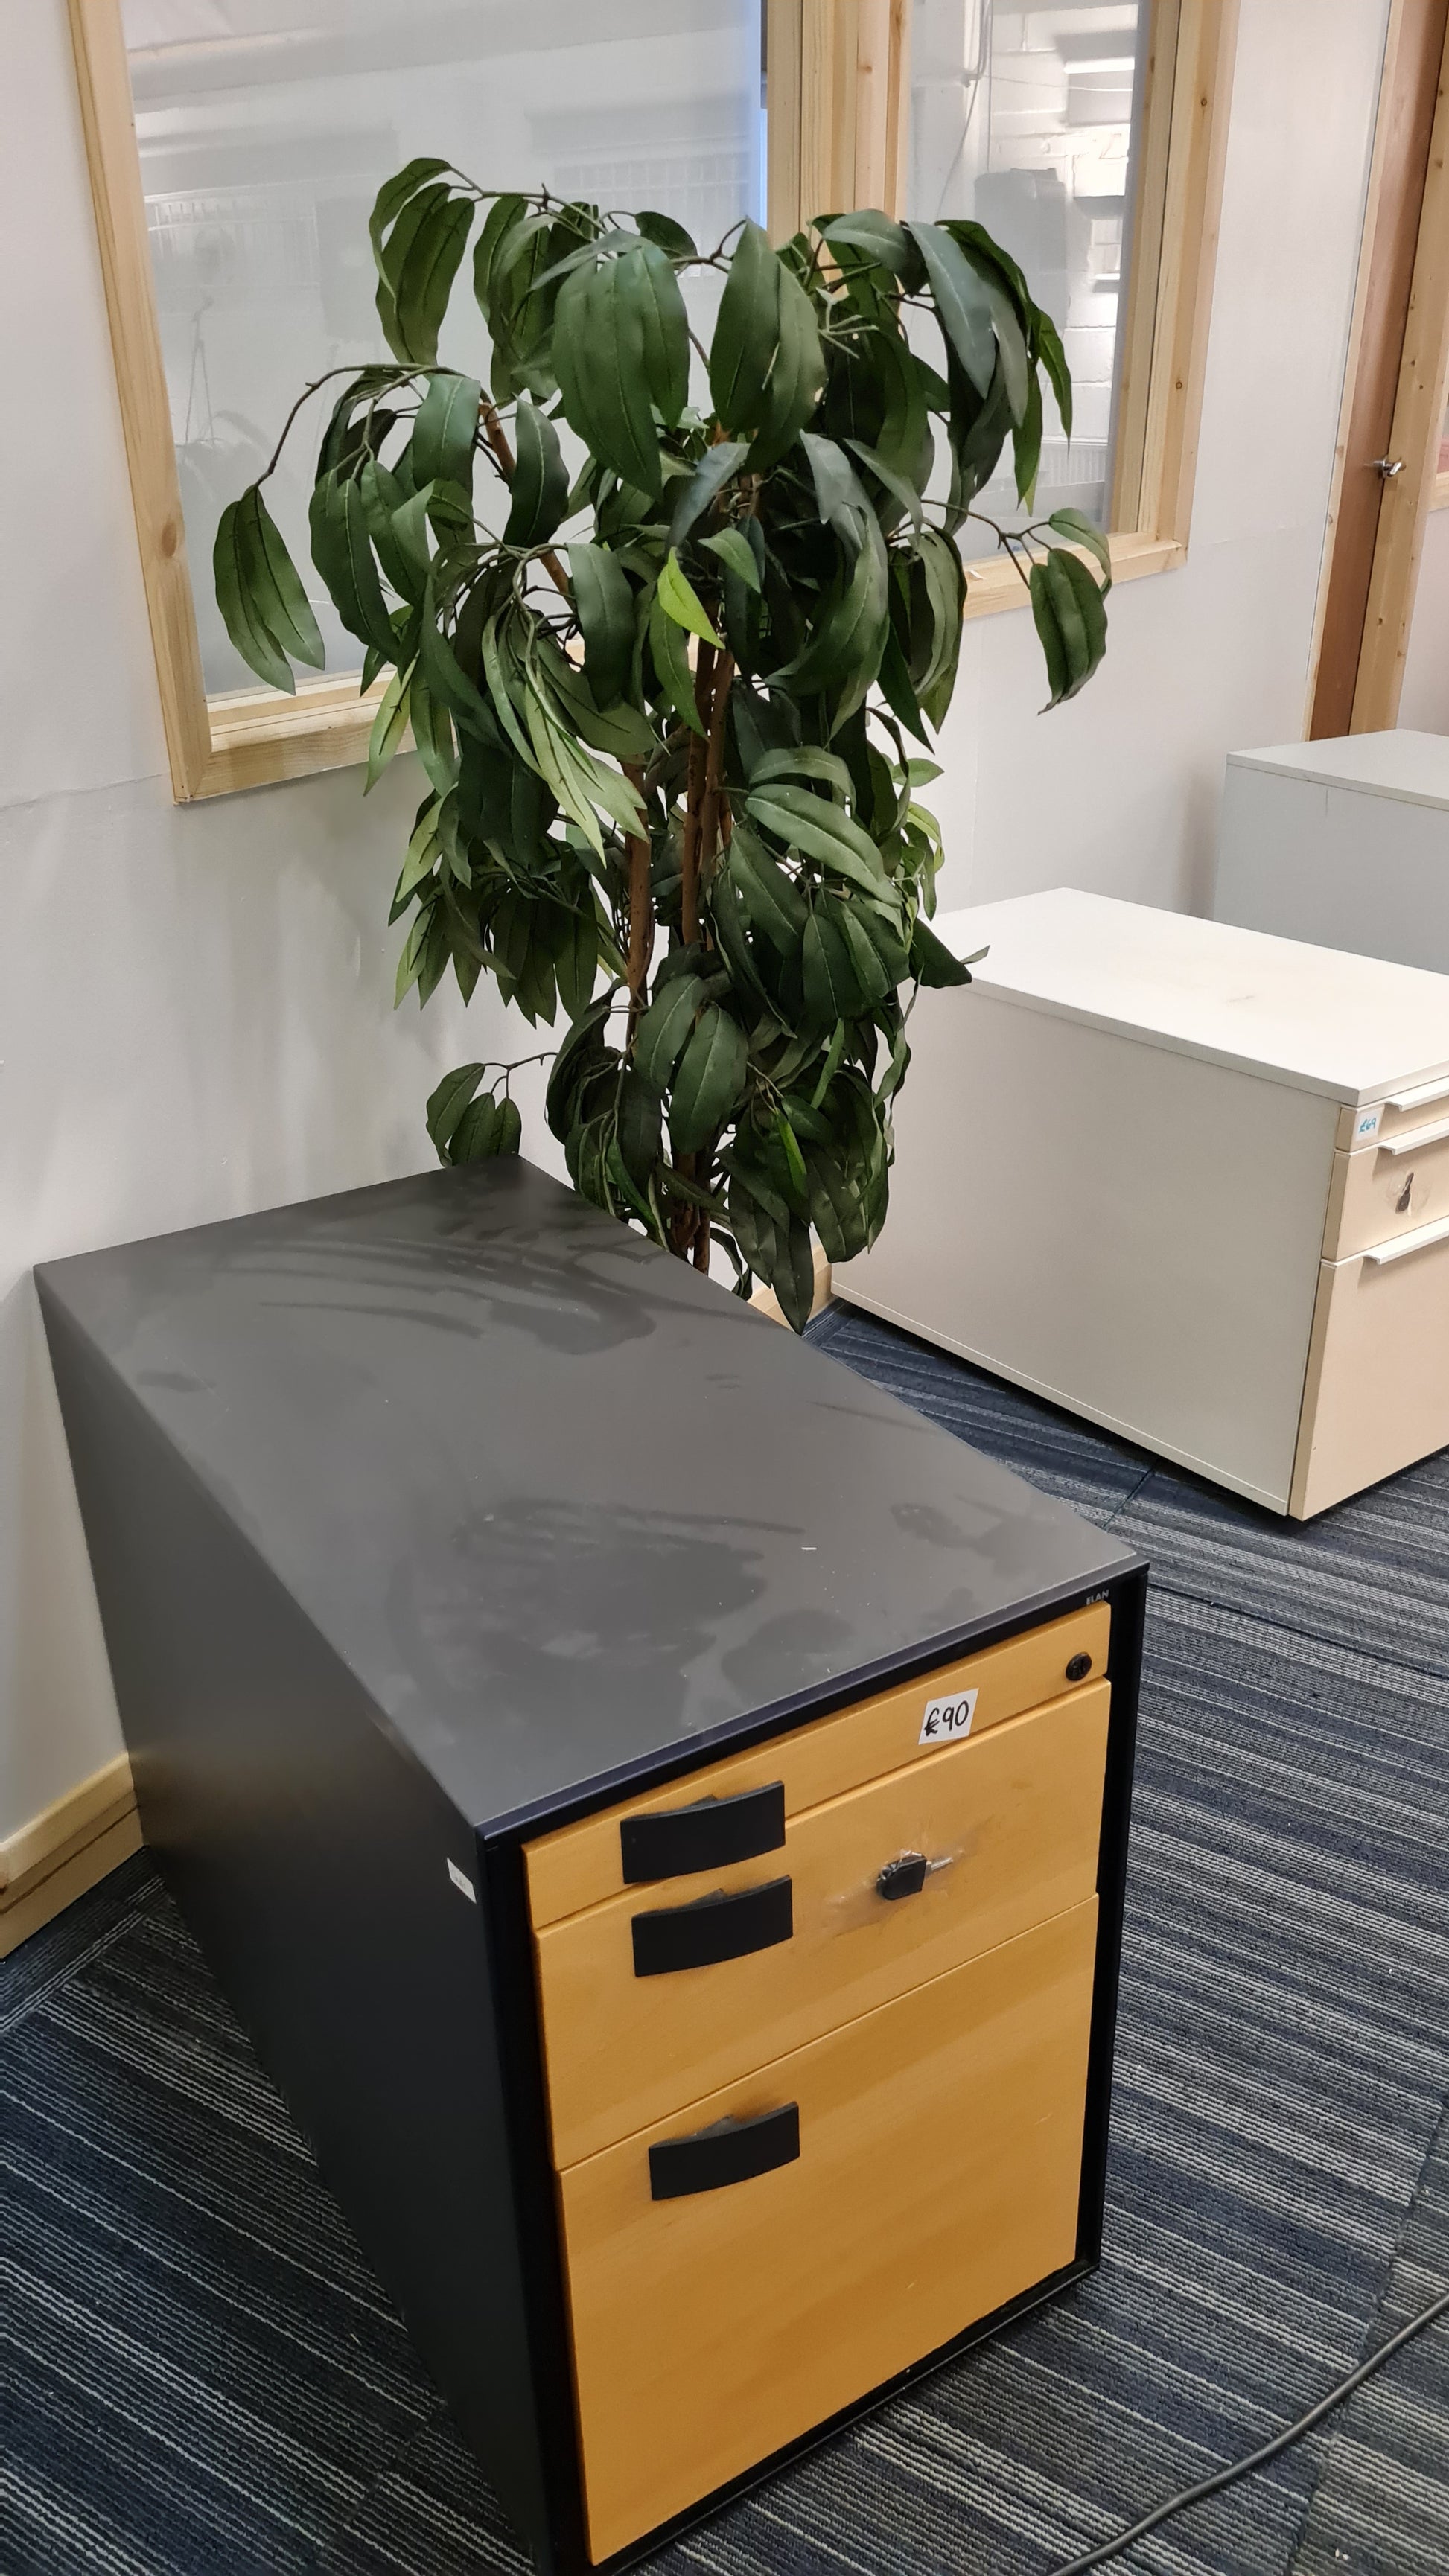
{"type": "Point", "coordinates": [837, 135]}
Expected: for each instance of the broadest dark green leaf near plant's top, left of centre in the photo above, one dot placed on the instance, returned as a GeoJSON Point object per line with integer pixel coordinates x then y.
{"type": "Point", "coordinates": [602, 365]}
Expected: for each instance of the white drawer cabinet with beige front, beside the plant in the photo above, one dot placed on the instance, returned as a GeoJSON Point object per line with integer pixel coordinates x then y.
{"type": "Point", "coordinates": [1187, 1181]}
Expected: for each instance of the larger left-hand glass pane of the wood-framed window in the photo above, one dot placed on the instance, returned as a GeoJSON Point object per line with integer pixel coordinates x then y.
{"type": "Point", "coordinates": [267, 130]}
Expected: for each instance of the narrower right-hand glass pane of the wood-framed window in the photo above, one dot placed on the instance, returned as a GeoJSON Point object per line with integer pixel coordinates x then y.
{"type": "Point", "coordinates": [1027, 120]}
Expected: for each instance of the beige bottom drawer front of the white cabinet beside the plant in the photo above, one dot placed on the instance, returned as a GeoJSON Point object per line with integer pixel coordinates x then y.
{"type": "Point", "coordinates": [1378, 1372]}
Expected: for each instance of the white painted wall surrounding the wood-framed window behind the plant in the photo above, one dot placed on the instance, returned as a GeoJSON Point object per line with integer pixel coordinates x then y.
{"type": "Point", "coordinates": [197, 1006]}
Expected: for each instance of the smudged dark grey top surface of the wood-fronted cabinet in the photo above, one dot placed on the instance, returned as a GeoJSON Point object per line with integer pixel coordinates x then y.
{"type": "Point", "coordinates": [561, 1503]}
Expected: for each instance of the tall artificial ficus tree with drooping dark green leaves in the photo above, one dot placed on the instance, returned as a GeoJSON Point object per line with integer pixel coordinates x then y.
{"type": "Point", "coordinates": [666, 710]}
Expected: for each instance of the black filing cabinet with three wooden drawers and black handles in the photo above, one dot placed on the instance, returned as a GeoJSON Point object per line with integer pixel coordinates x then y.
{"type": "Point", "coordinates": [656, 1802]}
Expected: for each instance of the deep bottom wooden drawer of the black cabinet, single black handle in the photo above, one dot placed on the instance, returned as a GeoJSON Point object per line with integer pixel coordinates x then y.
{"type": "Point", "coordinates": [749, 2268]}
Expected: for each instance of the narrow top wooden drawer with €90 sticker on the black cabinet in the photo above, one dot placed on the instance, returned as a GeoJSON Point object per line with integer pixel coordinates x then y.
{"type": "Point", "coordinates": [734, 1810]}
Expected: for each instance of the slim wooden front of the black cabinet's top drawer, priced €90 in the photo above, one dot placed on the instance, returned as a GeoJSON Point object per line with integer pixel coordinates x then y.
{"type": "Point", "coordinates": [581, 1864]}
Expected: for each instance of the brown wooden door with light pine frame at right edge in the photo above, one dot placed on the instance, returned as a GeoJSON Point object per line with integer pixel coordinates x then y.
{"type": "Point", "coordinates": [1394, 393]}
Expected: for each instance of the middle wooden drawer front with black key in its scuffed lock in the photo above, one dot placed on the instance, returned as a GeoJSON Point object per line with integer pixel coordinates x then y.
{"type": "Point", "coordinates": [1017, 1820]}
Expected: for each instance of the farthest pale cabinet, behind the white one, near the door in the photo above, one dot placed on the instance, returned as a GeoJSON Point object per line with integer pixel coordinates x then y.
{"type": "Point", "coordinates": [1345, 844]}
